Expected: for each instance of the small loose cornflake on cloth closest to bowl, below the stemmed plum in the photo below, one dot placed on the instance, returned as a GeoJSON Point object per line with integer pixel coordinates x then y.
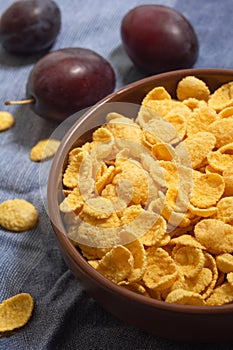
{"type": "Point", "coordinates": [44, 149]}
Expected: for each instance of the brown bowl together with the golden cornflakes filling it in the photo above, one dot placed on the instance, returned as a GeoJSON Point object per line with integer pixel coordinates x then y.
{"type": "Point", "coordinates": [140, 196]}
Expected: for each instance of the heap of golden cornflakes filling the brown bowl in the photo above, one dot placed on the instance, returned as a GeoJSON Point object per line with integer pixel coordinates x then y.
{"type": "Point", "coordinates": [149, 202]}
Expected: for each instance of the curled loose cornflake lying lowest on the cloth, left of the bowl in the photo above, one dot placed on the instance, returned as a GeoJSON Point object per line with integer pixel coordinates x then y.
{"type": "Point", "coordinates": [15, 312]}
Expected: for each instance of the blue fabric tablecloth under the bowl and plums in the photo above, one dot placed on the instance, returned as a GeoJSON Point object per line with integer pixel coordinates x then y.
{"type": "Point", "coordinates": [65, 316]}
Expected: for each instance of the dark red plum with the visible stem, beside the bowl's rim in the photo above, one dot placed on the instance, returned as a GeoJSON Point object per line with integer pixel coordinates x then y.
{"type": "Point", "coordinates": [68, 80]}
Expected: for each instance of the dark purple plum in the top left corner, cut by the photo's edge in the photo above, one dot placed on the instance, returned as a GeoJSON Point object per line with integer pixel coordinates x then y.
{"type": "Point", "coordinates": [30, 26]}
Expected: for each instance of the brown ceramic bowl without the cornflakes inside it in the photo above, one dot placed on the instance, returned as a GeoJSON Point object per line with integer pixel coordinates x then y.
{"type": "Point", "coordinates": [180, 322]}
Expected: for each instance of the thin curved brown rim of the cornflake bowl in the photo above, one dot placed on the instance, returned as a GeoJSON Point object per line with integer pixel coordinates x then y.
{"type": "Point", "coordinates": [54, 212]}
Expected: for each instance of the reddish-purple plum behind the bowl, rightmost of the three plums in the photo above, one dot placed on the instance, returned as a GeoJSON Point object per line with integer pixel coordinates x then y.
{"type": "Point", "coordinates": [158, 38]}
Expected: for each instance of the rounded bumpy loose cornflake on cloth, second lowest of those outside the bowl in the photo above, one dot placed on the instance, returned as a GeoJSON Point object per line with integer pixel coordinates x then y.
{"type": "Point", "coordinates": [18, 215]}
